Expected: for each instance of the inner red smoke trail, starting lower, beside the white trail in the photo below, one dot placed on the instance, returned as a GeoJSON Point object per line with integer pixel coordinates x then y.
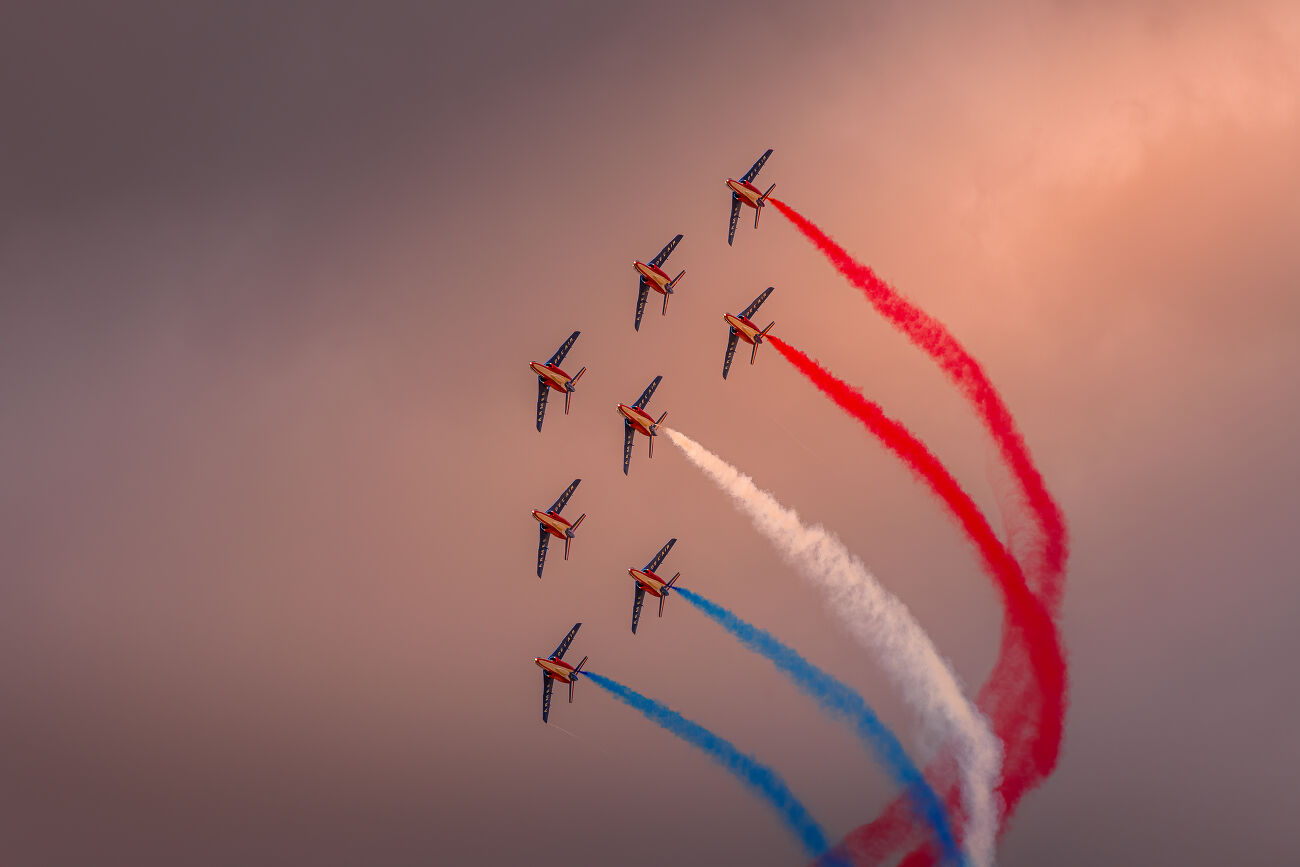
{"type": "Point", "coordinates": [1026, 695]}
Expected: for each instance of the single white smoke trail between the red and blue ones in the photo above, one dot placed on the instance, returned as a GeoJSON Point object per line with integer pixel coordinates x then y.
{"type": "Point", "coordinates": [885, 626]}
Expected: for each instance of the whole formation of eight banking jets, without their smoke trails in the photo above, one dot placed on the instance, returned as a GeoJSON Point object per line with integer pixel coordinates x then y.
{"type": "Point", "coordinates": [638, 419]}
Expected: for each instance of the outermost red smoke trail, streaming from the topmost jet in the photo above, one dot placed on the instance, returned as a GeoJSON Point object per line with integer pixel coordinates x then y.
{"type": "Point", "coordinates": [967, 374]}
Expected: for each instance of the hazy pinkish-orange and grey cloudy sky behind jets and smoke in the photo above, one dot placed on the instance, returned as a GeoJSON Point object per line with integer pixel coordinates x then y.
{"type": "Point", "coordinates": [271, 276]}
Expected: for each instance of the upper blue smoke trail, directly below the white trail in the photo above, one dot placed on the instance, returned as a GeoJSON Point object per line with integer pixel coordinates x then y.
{"type": "Point", "coordinates": [843, 701]}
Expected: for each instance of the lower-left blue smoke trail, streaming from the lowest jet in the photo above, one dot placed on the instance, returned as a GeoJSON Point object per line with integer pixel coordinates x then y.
{"type": "Point", "coordinates": [757, 777]}
